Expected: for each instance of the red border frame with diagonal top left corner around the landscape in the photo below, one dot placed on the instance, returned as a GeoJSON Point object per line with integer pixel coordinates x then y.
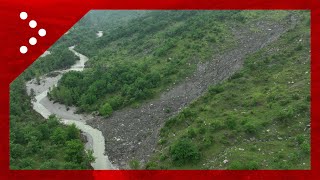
{"type": "Point", "coordinates": [57, 16]}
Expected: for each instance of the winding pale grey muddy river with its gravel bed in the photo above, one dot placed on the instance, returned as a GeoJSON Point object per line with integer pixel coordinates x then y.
{"type": "Point", "coordinates": [45, 107]}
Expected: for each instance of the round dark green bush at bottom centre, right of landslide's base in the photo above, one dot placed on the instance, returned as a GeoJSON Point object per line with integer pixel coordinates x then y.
{"type": "Point", "coordinates": [184, 151]}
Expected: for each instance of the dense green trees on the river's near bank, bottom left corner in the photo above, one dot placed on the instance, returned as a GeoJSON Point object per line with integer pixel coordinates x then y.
{"type": "Point", "coordinates": [36, 143]}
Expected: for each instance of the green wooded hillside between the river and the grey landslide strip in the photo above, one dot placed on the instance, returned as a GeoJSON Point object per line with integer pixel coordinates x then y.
{"type": "Point", "coordinates": [136, 62]}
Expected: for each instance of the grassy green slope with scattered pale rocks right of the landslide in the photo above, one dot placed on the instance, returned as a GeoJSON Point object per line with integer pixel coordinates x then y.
{"type": "Point", "coordinates": [257, 119]}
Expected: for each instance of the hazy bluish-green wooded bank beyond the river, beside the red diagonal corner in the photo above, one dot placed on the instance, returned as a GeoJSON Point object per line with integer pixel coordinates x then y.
{"type": "Point", "coordinates": [82, 32]}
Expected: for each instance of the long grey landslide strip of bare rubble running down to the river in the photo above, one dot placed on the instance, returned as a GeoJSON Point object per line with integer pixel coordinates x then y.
{"type": "Point", "coordinates": [132, 134]}
